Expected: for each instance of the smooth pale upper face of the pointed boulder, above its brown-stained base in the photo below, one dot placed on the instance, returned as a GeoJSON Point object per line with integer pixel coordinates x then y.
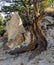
{"type": "Point", "coordinates": [14, 26]}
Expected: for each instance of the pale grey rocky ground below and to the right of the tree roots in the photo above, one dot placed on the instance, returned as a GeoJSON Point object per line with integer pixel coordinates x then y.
{"type": "Point", "coordinates": [34, 57]}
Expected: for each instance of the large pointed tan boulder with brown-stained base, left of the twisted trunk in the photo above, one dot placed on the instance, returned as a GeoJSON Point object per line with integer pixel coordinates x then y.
{"type": "Point", "coordinates": [17, 35]}
